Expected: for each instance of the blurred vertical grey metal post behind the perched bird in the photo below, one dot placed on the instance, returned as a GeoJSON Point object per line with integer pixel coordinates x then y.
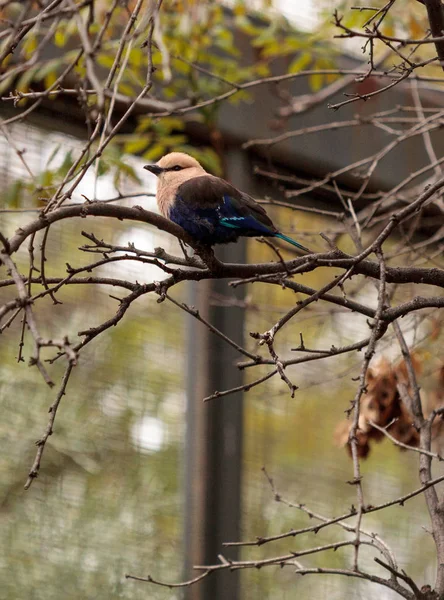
{"type": "Point", "coordinates": [214, 429]}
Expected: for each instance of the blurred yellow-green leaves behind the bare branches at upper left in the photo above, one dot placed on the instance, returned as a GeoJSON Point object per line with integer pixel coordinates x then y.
{"type": "Point", "coordinates": [189, 34]}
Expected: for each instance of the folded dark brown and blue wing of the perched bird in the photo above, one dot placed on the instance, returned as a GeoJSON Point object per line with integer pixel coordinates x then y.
{"type": "Point", "coordinates": [235, 208]}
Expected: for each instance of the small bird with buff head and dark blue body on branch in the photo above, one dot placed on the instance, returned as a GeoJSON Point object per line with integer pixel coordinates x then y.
{"type": "Point", "coordinates": [208, 208]}
